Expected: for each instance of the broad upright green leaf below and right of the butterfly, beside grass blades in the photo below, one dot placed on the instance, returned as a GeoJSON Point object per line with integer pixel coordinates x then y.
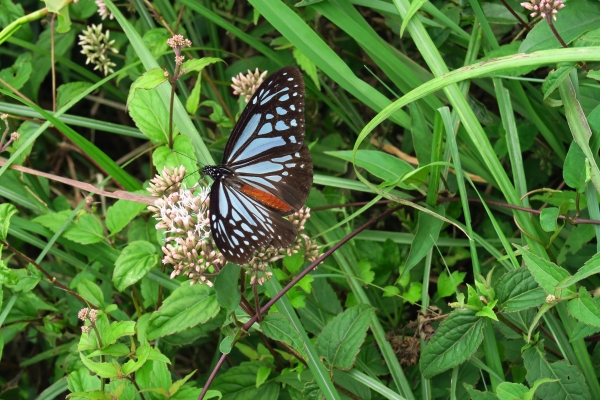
{"type": "Point", "coordinates": [341, 338]}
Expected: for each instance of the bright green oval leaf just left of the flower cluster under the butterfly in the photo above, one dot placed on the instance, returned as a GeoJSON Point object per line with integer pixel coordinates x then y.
{"type": "Point", "coordinates": [134, 262]}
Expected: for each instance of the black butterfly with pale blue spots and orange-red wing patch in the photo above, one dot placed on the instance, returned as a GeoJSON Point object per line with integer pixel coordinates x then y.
{"type": "Point", "coordinates": [266, 171]}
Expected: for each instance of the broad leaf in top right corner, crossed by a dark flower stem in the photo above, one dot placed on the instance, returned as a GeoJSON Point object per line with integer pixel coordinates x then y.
{"type": "Point", "coordinates": [578, 17]}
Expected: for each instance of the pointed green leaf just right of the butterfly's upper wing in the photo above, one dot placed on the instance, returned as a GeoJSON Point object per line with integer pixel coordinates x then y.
{"type": "Point", "coordinates": [378, 163]}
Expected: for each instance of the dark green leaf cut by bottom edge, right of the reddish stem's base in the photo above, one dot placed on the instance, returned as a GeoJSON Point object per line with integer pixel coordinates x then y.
{"type": "Point", "coordinates": [240, 382]}
